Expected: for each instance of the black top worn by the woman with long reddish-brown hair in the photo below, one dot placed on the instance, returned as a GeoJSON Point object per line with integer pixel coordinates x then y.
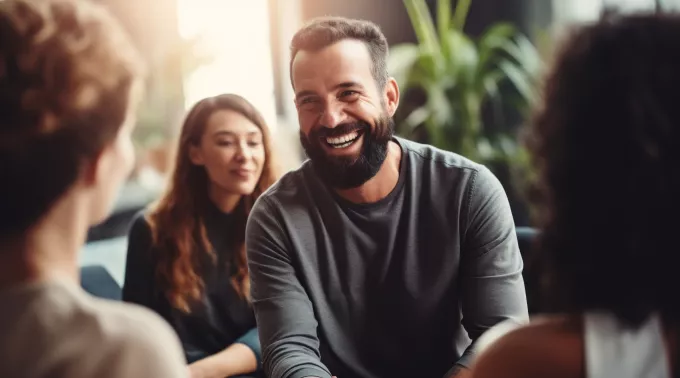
{"type": "Point", "coordinates": [223, 317]}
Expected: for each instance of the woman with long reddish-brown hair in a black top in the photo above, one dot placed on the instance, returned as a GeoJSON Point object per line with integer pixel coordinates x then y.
{"type": "Point", "coordinates": [186, 256]}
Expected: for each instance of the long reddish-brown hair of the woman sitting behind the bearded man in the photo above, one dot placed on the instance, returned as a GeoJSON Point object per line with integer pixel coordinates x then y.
{"type": "Point", "coordinates": [177, 220]}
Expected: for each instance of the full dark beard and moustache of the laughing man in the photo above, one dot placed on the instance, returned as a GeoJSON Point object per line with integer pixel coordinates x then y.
{"type": "Point", "coordinates": [344, 172]}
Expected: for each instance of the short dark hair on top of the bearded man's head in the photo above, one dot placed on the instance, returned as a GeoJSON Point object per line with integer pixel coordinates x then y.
{"type": "Point", "coordinates": [325, 31]}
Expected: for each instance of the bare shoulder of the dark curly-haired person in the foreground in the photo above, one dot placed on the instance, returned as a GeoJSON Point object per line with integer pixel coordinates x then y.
{"type": "Point", "coordinates": [548, 347]}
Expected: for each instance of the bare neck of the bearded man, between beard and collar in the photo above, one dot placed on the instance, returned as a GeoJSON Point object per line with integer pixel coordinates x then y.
{"type": "Point", "coordinates": [380, 185]}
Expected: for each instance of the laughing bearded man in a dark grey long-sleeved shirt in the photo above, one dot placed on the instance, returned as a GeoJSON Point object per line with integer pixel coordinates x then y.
{"type": "Point", "coordinates": [379, 257]}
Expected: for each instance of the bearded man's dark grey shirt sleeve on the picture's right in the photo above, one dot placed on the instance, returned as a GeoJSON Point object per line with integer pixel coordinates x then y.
{"type": "Point", "coordinates": [491, 265]}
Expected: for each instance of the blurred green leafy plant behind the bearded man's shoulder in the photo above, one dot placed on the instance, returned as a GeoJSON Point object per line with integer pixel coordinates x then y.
{"type": "Point", "coordinates": [466, 84]}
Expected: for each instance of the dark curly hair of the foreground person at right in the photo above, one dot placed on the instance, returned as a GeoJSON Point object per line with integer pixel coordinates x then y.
{"type": "Point", "coordinates": [606, 143]}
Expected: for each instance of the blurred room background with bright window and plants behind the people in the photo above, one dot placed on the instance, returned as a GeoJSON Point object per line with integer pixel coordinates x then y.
{"type": "Point", "coordinates": [468, 70]}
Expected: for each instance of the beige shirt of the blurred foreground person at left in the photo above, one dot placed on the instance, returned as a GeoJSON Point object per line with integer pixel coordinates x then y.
{"type": "Point", "coordinates": [55, 329]}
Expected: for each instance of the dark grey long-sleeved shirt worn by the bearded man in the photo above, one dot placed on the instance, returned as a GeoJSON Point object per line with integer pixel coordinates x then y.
{"type": "Point", "coordinates": [396, 288]}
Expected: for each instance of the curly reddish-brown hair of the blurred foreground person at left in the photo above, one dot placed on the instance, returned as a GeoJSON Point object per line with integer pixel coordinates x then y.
{"type": "Point", "coordinates": [68, 74]}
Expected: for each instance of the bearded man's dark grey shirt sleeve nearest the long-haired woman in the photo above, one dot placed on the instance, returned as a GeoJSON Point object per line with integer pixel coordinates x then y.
{"type": "Point", "coordinates": [285, 316]}
